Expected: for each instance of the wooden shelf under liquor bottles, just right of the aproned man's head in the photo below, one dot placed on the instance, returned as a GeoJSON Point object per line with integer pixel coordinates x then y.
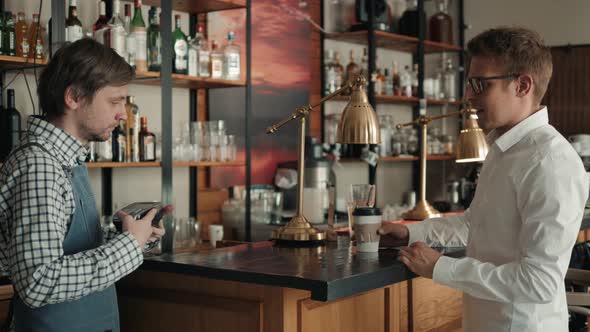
{"type": "Point", "coordinates": [185, 81]}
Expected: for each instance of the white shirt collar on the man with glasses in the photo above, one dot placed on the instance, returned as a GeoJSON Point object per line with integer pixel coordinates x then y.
{"type": "Point", "coordinates": [518, 132]}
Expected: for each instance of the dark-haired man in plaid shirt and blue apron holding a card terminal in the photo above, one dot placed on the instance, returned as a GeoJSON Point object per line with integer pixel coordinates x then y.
{"type": "Point", "coordinates": [63, 268]}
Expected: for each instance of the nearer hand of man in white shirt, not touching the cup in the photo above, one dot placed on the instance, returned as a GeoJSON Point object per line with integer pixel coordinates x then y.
{"type": "Point", "coordinates": [419, 258]}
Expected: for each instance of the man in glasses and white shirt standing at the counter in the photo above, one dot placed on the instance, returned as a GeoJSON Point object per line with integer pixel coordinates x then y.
{"type": "Point", "coordinates": [528, 207]}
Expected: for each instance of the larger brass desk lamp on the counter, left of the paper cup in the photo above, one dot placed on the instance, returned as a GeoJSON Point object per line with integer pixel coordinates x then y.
{"type": "Point", "coordinates": [358, 125]}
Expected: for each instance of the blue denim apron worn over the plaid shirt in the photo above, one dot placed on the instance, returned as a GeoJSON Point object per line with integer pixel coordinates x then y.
{"type": "Point", "coordinates": [96, 312]}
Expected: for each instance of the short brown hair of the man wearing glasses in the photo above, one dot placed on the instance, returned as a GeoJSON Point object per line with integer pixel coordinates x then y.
{"type": "Point", "coordinates": [519, 50]}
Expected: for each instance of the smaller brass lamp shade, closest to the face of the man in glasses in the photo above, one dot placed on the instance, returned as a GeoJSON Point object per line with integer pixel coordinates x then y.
{"type": "Point", "coordinates": [471, 144]}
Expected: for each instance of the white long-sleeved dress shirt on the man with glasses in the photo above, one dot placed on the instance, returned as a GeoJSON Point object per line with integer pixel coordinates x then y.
{"type": "Point", "coordinates": [519, 232]}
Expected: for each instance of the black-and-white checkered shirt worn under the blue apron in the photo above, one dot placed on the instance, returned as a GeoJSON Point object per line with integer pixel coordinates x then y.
{"type": "Point", "coordinates": [36, 206]}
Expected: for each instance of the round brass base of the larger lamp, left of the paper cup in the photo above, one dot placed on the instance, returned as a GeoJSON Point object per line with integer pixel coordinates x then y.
{"type": "Point", "coordinates": [299, 230]}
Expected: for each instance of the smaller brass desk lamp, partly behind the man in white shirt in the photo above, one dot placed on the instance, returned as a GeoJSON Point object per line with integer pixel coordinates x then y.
{"type": "Point", "coordinates": [471, 146]}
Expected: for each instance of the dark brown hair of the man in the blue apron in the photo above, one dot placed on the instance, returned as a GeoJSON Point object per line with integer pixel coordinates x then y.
{"type": "Point", "coordinates": [86, 66]}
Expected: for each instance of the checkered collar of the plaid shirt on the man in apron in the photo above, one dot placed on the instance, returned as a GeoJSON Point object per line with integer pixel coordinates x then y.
{"type": "Point", "coordinates": [69, 150]}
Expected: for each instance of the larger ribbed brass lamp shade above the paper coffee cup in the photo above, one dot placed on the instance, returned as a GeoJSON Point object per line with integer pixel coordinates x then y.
{"type": "Point", "coordinates": [359, 123]}
